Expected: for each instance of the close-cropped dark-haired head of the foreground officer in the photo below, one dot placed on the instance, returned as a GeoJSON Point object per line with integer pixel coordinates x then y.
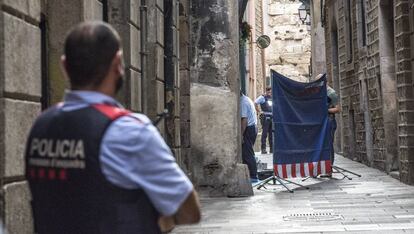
{"type": "Point", "coordinates": [89, 50]}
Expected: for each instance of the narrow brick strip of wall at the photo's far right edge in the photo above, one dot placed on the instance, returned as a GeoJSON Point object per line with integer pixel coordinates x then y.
{"type": "Point", "coordinates": [405, 93]}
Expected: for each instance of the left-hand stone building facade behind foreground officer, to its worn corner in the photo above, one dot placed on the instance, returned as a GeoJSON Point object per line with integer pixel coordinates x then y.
{"type": "Point", "coordinates": [175, 59]}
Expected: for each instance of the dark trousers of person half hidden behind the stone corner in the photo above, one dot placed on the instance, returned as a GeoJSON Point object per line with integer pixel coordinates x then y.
{"type": "Point", "coordinates": [249, 137]}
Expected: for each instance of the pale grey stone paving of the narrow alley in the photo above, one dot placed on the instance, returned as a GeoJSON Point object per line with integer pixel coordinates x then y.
{"type": "Point", "coordinates": [374, 203]}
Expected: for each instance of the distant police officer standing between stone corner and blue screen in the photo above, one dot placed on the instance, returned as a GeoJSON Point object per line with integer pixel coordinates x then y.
{"type": "Point", "coordinates": [265, 102]}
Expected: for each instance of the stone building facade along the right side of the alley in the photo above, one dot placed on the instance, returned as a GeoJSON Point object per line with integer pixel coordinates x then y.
{"type": "Point", "coordinates": [369, 57]}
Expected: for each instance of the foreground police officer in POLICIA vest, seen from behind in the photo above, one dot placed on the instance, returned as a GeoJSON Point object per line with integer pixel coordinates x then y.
{"type": "Point", "coordinates": [95, 167]}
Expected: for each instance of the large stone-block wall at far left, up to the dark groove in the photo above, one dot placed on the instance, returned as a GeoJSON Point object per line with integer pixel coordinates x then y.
{"type": "Point", "coordinates": [20, 94]}
